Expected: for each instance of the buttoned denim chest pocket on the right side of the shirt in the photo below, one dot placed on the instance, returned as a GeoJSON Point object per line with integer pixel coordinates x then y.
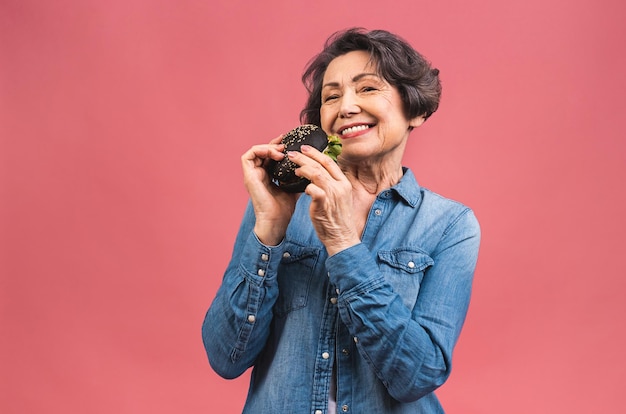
{"type": "Point", "coordinates": [404, 269]}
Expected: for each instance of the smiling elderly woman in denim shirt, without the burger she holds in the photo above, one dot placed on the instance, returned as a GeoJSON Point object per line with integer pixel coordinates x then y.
{"type": "Point", "coordinates": [351, 296]}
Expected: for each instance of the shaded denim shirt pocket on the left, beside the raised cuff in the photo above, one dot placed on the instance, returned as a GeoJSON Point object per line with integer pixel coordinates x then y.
{"type": "Point", "coordinates": [294, 277]}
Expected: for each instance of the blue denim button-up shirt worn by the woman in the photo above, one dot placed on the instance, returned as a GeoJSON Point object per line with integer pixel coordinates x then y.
{"type": "Point", "coordinates": [379, 320]}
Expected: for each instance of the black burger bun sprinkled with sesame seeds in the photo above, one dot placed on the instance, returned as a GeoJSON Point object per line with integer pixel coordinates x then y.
{"type": "Point", "coordinates": [282, 173]}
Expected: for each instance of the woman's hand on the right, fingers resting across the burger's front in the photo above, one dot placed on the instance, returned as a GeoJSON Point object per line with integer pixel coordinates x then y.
{"type": "Point", "coordinates": [331, 193]}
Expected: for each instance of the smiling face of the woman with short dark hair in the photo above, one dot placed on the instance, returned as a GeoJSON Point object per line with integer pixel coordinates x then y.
{"type": "Point", "coordinates": [364, 110]}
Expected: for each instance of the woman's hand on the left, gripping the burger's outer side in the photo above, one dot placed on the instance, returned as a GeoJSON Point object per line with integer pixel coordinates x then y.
{"type": "Point", "coordinates": [273, 207]}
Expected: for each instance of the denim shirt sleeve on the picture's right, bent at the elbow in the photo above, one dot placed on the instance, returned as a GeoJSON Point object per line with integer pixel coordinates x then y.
{"type": "Point", "coordinates": [410, 350]}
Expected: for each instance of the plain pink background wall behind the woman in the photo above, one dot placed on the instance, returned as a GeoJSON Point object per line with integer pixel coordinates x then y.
{"type": "Point", "coordinates": [122, 123]}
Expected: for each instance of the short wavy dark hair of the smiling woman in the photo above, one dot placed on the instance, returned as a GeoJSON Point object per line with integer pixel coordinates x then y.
{"type": "Point", "coordinates": [395, 60]}
